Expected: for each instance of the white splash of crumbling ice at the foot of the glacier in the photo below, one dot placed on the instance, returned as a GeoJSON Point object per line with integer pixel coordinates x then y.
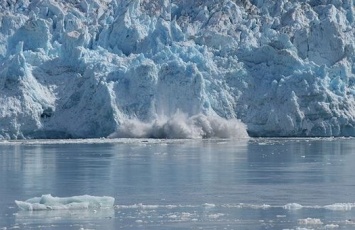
{"type": "Point", "coordinates": [181, 126]}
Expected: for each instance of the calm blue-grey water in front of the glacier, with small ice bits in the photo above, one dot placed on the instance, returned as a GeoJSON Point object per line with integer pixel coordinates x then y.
{"type": "Point", "coordinates": [183, 184]}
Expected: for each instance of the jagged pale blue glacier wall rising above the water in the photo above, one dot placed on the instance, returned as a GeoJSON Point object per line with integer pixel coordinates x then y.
{"type": "Point", "coordinates": [176, 68]}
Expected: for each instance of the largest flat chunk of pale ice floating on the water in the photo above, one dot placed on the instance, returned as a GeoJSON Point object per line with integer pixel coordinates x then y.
{"type": "Point", "coordinates": [48, 202]}
